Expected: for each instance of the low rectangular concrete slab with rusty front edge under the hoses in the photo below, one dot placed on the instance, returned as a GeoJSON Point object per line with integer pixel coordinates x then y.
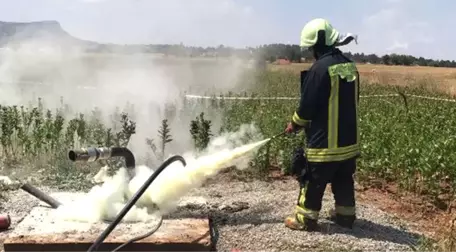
{"type": "Point", "coordinates": [41, 231]}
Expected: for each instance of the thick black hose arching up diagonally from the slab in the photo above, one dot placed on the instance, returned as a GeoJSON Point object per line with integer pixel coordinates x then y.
{"type": "Point", "coordinates": [133, 201]}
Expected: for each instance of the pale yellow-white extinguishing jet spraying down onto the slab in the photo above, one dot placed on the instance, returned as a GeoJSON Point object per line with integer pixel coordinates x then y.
{"type": "Point", "coordinates": [105, 202]}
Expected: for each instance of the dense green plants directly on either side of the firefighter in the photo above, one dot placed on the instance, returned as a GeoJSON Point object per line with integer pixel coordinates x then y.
{"type": "Point", "coordinates": [409, 141]}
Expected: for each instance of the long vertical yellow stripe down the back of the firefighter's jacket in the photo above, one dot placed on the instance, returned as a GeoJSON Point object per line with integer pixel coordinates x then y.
{"type": "Point", "coordinates": [333, 113]}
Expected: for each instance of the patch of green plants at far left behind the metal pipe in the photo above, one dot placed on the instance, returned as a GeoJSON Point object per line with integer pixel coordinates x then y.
{"type": "Point", "coordinates": [35, 140]}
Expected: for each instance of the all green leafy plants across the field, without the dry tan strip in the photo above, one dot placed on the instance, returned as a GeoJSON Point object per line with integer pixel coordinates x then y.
{"type": "Point", "coordinates": [409, 141]}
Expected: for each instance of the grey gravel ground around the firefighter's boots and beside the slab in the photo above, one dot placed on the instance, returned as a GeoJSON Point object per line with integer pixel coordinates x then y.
{"type": "Point", "coordinates": [249, 217]}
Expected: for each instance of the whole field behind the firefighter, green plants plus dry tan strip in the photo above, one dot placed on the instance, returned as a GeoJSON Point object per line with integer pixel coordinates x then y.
{"type": "Point", "coordinates": [406, 140]}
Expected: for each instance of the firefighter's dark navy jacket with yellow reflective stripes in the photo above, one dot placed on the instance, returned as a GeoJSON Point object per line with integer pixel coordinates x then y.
{"type": "Point", "coordinates": [328, 108]}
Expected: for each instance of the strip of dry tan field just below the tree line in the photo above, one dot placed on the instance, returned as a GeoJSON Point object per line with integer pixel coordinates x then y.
{"type": "Point", "coordinates": [434, 77]}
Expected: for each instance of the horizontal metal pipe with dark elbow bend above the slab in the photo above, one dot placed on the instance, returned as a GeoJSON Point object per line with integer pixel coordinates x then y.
{"type": "Point", "coordinates": [93, 154]}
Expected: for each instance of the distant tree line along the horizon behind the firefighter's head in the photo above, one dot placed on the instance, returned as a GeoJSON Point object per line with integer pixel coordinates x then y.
{"type": "Point", "coordinates": [271, 53]}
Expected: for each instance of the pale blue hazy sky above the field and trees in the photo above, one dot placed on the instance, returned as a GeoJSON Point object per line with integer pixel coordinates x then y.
{"type": "Point", "coordinates": [417, 27]}
